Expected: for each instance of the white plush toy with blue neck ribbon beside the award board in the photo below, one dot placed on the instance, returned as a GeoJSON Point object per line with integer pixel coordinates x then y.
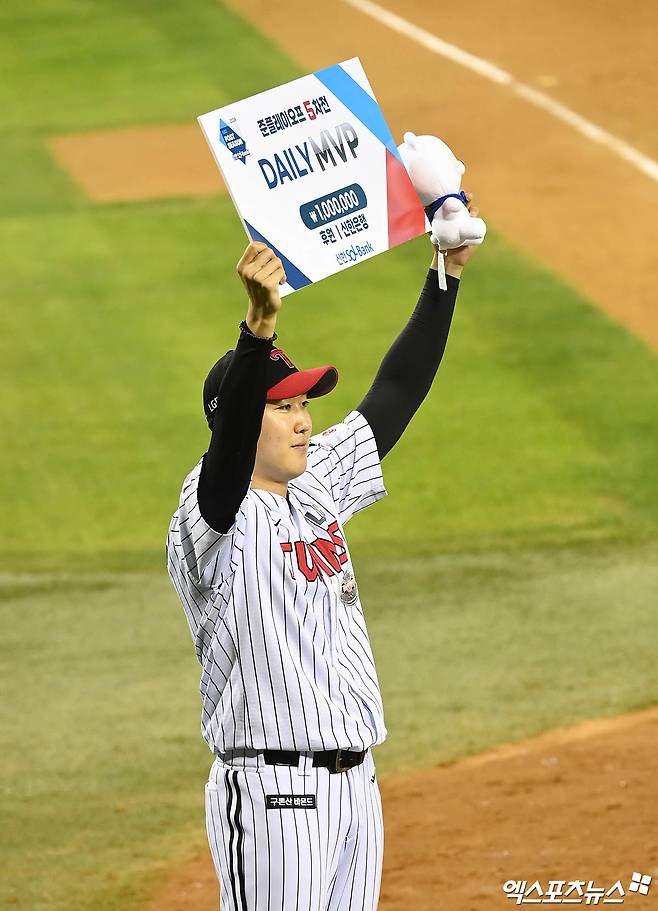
{"type": "Point", "coordinates": [436, 176]}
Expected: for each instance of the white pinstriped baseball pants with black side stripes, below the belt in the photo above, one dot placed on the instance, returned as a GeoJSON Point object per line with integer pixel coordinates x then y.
{"type": "Point", "coordinates": [294, 838]}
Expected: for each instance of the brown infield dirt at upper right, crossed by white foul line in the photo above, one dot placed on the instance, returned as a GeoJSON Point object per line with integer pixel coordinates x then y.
{"type": "Point", "coordinates": [571, 204]}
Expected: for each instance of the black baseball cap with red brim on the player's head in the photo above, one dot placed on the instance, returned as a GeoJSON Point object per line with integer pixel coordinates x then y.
{"type": "Point", "coordinates": [284, 381]}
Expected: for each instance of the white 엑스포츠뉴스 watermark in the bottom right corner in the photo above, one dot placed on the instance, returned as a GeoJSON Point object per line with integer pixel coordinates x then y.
{"type": "Point", "coordinates": [574, 892]}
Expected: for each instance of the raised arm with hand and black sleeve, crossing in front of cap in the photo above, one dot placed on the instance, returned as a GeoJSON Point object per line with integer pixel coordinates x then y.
{"type": "Point", "coordinates": [229, 462]}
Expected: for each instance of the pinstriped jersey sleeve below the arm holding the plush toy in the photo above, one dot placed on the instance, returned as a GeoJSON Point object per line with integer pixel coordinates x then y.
{"type": "Point", "coordinates": [345, 458]}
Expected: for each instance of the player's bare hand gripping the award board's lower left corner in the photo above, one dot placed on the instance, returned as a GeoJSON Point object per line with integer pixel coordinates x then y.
{"type": "Point", "coordinates": [261, 272]}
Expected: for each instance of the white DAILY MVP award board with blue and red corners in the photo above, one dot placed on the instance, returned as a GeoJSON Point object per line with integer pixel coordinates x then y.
{"type": "Point", "coordinates": [314, 173]}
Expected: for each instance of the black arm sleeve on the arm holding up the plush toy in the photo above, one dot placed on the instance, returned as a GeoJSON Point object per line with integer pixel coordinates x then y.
{"type": "Point", "coordinates": [408, 369]}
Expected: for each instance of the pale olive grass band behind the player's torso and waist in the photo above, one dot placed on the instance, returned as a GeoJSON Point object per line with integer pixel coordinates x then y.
{"type": "Point", "coordinates": [102, 762]}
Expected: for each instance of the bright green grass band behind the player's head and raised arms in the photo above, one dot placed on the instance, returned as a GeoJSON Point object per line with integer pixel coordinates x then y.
{"type": "Point", "coordinates": [537, 429]}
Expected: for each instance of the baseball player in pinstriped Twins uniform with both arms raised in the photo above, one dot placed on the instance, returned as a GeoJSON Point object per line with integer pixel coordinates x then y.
{"type": "Point", "coordinates": [257, 552]}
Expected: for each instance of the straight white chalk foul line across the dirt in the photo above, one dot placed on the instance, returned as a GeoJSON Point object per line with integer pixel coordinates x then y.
{"type": "Point", "coordinates": [489, 71]}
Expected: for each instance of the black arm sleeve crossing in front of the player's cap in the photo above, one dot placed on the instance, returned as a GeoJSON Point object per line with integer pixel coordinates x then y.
{"type": "Point", "coordinates": [229, 462]}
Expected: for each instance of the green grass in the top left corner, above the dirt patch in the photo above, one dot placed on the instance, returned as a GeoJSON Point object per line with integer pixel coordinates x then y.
{"type": "Point", "coordinates": [84, 65]}
